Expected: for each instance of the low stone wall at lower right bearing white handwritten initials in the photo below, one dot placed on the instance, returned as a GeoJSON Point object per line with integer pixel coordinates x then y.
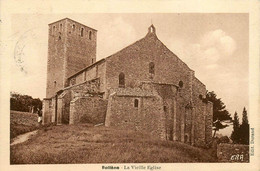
{"type": "Point", "coordinates": [233, 153]}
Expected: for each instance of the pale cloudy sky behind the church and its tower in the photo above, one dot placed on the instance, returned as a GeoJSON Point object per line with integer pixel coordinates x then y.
{"type": "Point", "coordinates": [215, 46]}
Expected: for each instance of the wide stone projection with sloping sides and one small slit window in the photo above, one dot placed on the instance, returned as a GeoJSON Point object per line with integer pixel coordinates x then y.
{"type": "Point", "coordinates": [147, 116]}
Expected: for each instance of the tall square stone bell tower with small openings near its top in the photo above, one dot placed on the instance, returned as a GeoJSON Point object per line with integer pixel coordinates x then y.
{"type": "Point", "coordinates": [71, 47]}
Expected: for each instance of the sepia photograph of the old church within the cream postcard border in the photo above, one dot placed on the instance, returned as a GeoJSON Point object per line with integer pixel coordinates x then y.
{"type": "Point", "coordinates": [129, 88]}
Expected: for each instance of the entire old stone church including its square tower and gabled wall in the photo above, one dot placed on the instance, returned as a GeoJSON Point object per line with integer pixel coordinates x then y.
{"type": "Point", "coordinates": [143, 87]}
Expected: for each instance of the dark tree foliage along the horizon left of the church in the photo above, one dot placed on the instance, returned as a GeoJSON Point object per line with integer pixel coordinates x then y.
{"type": "Point", "coordinates": [24, 103]}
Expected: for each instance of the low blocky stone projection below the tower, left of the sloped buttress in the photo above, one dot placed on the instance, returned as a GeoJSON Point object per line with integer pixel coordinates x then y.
{"type": "Point", "coordinates": [88, 110]}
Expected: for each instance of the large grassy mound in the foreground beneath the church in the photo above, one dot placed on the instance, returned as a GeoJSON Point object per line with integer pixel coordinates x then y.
{"type": "Point", "coordinates": [84, 144]}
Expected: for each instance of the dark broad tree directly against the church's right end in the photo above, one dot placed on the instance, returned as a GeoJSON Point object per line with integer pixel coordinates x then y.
{"type": "Point", "coordinates": [220, 114]}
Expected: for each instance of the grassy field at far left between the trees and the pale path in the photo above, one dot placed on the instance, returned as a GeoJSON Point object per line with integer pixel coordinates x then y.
{"type": "Point", "coordinates": [22, 122]}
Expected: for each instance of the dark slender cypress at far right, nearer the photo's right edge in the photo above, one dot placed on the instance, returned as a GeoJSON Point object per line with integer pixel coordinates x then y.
{"type": "Point", "coordinates": [244, 129]}
